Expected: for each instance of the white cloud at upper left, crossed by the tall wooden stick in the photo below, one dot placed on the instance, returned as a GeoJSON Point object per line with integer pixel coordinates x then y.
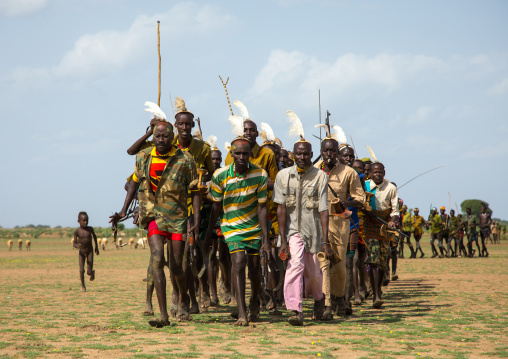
{"type": "Point", "coordinates": [110, 51]}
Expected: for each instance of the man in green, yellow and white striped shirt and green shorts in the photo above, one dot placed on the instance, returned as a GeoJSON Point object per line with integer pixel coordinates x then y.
{"type": "Point", "coordinates": [239, 195]}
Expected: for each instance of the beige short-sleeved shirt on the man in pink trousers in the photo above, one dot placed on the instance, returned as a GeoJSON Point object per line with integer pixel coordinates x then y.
{"type": "Point", "coordinates": [304, 196]}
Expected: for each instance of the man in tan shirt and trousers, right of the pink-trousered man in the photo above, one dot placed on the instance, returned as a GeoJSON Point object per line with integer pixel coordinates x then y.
{"type": "Point", "coordinates": [346, 185]}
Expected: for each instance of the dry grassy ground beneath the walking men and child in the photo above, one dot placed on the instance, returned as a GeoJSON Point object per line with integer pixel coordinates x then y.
{"type": "Point", "coordinates": [446, 308]}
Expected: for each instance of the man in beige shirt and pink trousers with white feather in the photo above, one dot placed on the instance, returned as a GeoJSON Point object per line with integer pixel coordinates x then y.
{"type": "Point", "coordinates": [302, 197]}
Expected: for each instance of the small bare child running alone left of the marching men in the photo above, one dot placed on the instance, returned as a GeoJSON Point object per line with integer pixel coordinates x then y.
{"type": "Point", "coordinates": [83, 242]}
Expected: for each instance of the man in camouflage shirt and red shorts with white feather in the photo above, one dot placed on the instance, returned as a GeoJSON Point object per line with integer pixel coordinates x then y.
{"type": "Point", "coordinates": [162, 177]}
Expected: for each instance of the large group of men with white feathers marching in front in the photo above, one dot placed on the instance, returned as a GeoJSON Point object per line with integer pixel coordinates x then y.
{"type": "Point", "coordinates": [325, 230]}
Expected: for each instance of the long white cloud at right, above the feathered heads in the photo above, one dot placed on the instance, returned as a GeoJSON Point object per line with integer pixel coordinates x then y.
{"type": "Point", "coordinates": [383, 73]}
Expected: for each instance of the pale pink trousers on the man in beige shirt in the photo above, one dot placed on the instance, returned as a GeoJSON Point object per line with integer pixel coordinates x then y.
{"type": "Point", "coordinates": [302, 266]}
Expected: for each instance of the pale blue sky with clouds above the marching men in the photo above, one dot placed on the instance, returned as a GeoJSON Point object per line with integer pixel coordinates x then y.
{"type": "Point", "coordinates": [424, 83]}
